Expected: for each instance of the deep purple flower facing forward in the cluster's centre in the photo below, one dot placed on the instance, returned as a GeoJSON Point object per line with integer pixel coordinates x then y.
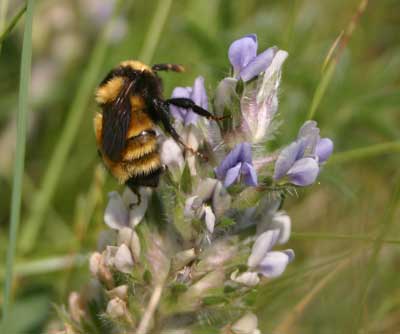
{"type": "Point", "coordinates": [237, 162]}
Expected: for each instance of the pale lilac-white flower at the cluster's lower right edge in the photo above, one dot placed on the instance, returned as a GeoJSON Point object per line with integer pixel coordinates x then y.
{"type": "Point", "coordinates": [266, 262]}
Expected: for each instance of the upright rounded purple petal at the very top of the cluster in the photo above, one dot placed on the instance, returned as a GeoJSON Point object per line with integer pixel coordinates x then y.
{"type": "Point", "coordinates": [242, 51]}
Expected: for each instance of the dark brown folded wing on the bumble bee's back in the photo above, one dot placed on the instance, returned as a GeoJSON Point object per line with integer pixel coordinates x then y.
{"type": "Point", "coordinates": [116, 120]}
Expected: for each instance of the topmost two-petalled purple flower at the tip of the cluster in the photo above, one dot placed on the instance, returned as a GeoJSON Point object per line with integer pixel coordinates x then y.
{"type": "Point", "coordinates": [244, 59]}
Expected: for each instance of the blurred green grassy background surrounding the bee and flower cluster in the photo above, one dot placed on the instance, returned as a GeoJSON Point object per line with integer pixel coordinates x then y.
{"type": "Point", "coordinates": [346, 228]}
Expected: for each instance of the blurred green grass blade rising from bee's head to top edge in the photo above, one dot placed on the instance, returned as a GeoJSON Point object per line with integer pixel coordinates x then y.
{"type": "Point", "coordinates": [154, 32]}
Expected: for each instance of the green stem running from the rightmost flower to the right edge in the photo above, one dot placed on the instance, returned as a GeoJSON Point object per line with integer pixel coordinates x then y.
{"type": "Point", "coordinates": [365, 152]}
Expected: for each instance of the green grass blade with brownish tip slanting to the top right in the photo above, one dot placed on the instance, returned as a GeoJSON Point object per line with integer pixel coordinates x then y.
{"type": "Point", "coordinates": [331, 64]}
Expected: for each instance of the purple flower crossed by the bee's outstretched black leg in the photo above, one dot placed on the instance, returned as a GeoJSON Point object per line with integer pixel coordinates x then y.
{"type": "Point", "coordinates": [199, 96]}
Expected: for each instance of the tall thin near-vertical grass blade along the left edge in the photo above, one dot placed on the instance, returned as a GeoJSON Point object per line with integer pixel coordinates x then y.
{"type": "Point", "coordinates": [25, 79]}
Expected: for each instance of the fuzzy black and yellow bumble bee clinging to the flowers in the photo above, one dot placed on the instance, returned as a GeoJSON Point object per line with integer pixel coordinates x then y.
{"type": "Point", "coordinates": [131, 102]}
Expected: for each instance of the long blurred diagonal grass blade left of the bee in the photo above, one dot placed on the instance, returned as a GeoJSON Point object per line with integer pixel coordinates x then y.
{"type": "Point", "coordinates": [43, 198]}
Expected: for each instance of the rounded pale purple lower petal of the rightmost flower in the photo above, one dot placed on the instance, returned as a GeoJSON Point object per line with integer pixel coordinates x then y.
{"type": "Point", "coordinates": [303, 172]}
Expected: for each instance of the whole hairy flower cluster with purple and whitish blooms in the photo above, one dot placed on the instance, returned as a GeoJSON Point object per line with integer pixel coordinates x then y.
{"type": "Point", "coordinates": [213, 230]}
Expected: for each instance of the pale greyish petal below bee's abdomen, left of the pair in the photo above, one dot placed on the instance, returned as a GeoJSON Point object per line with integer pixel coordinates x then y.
{"type": "Point", "coordinates": [116, 213]}
